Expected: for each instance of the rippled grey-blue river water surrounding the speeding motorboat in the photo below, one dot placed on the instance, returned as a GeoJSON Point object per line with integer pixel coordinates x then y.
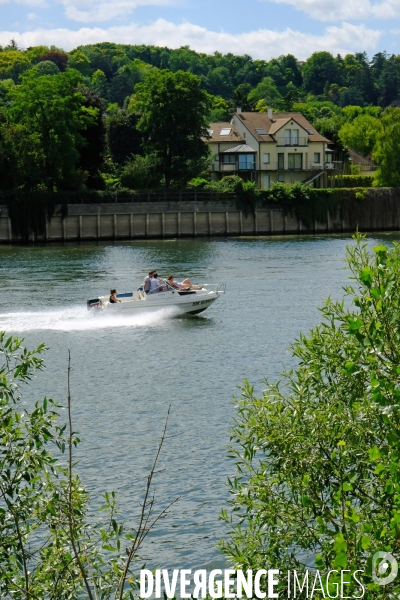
{"type": "Point", "coordinates": [126, 371]}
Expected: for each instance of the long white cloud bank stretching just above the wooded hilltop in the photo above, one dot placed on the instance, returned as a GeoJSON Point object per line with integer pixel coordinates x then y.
{"type": "Point", "coordinates": [262, 43]}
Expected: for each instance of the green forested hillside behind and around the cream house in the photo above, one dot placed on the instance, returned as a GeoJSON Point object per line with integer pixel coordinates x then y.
{"type": "Point", "coordinates": [86, 119]}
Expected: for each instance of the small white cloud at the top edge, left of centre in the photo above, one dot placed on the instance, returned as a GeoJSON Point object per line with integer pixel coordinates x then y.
{"type": "Point", "coordinates": [86, 11]}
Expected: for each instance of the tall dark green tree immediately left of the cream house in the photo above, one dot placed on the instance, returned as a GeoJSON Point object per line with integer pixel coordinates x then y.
{"type": "Point", "coordinates": [173, 120]}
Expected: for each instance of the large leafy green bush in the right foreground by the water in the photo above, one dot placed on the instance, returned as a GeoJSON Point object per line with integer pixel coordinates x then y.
{"type": "Point", "coordinates": [317, 456]}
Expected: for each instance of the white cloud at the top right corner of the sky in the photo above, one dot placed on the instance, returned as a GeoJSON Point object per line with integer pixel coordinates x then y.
{"type": "Point", "coordinates": [345, 10]}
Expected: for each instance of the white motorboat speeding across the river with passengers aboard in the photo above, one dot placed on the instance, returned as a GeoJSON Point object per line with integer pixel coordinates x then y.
{"type": "Point", "coordinates": [190, 301]}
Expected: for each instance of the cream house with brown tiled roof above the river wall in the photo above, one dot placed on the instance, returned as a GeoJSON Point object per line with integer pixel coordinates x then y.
{"type": "Point", "coordinates": [270, 147]}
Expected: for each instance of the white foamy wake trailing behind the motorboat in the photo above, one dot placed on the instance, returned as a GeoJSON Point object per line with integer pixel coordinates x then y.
{"type": "Point", "coordinates": [79, 319]}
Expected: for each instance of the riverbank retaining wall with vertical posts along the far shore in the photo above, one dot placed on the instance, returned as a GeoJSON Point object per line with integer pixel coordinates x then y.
{"type": "Point", "coordinates": [377, 210]}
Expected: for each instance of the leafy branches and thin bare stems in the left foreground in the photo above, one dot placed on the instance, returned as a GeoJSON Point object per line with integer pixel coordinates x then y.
{"type": "Point", "coordinates": [51, 545]}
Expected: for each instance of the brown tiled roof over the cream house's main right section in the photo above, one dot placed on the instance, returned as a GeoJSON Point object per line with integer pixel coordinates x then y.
{"type": "Point", "coordinates": [254, 120]}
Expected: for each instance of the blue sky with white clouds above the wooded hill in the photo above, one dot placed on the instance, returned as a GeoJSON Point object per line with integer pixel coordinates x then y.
{"type": "Point", "coordinates": [261, 28]}
